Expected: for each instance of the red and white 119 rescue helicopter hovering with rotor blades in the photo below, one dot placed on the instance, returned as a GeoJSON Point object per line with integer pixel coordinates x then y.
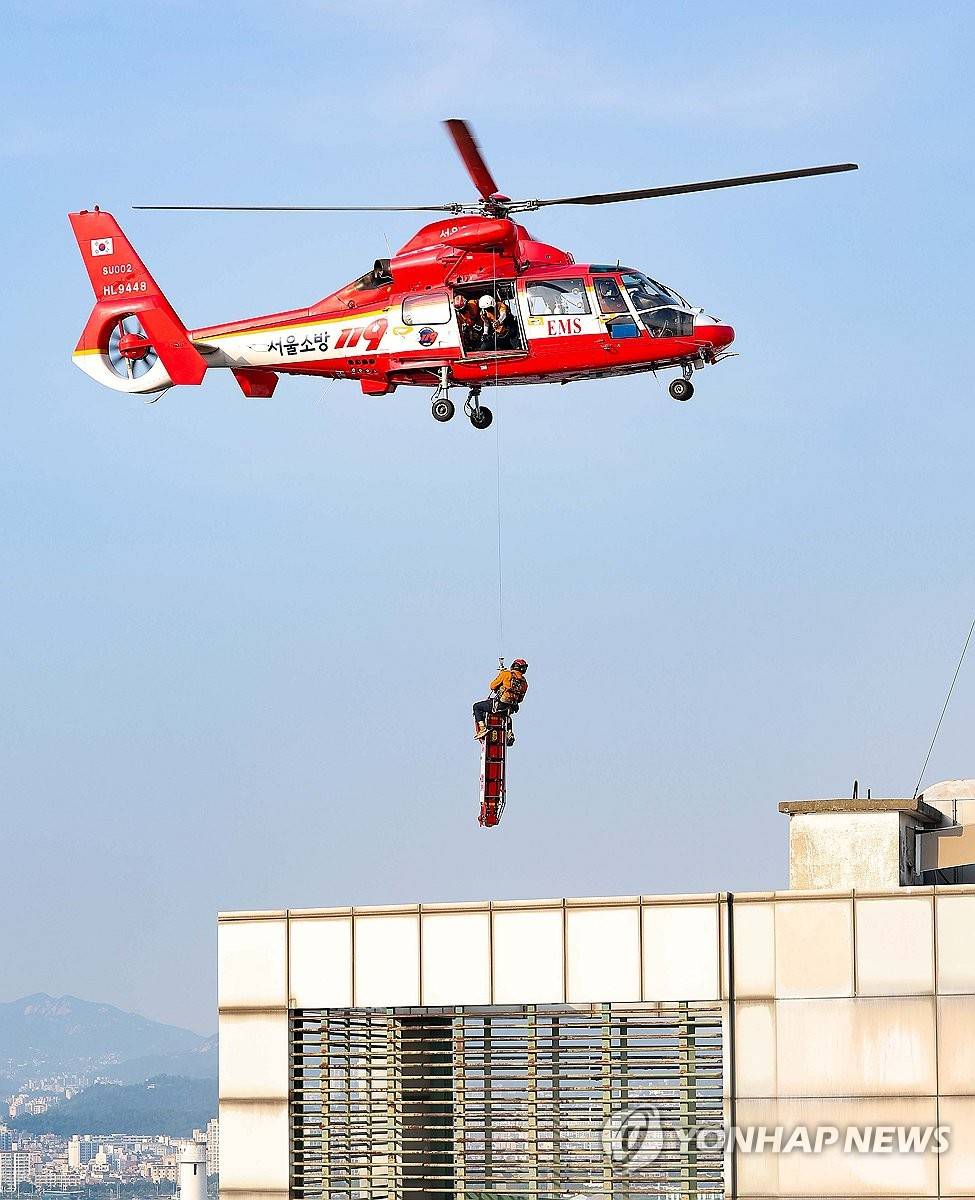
{"type": "Point", "coordinates": [474, 301]}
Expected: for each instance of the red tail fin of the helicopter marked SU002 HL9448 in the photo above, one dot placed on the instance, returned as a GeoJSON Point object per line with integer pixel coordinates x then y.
{"type": "Point", "coordinates": [123, 286]}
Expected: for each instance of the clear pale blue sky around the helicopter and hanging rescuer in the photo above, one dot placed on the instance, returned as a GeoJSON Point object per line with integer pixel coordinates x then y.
{"type": "Point", "coordinates": [241, 638]}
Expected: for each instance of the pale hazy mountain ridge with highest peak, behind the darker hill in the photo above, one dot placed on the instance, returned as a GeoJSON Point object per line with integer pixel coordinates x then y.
{"type": "Point", "coordinates": [43, 1035]}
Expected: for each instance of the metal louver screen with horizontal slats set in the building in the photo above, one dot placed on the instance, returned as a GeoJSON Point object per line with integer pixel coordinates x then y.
{"type": "Point", "coordinates": [602, 1101]}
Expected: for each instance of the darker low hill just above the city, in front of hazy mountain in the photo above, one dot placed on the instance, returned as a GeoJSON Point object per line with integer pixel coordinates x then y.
{"type": "Point", "coordinates": [166, 1105]}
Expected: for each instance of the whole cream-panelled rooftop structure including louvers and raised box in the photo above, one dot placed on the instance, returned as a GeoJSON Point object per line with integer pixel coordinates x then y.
{"type": "Point", "coordinates": [492, 1049]}
